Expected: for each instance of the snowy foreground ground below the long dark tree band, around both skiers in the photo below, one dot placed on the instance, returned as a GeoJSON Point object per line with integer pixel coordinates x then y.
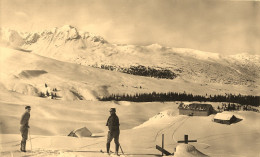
{"type": "Point", "coordinates": [142, 126]}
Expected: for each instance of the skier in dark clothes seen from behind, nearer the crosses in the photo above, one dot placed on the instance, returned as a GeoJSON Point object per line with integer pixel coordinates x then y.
{"type": "Point", "coordinates": [113, 126]}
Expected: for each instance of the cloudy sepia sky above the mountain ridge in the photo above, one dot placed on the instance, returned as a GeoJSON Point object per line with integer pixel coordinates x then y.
{"type": "Point", "coordinates": [225, 27]}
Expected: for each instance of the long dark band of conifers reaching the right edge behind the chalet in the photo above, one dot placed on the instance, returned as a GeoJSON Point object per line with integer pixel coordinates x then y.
{"type": "Point", "coordinates": [174, 96]}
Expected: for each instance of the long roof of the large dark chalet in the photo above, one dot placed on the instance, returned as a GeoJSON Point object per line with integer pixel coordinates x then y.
{"type": "Point", "coordinates": [196, 106]}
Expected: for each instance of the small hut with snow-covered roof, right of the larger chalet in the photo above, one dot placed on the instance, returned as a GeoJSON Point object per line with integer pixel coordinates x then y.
{"type": "Point", "coordinates": [225, 118]}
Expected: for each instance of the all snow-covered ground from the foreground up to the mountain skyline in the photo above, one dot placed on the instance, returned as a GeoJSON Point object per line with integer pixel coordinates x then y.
{"type": "Point", "coordinates": [39, 63]}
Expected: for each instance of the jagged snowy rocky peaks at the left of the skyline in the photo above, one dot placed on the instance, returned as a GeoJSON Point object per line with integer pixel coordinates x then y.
{"type": "Point", "coordinates": [55, 36]}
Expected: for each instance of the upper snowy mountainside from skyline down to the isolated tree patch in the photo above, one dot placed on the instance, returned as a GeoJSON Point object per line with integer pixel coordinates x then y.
{"type": "Point", "coordinates": [71, 45]}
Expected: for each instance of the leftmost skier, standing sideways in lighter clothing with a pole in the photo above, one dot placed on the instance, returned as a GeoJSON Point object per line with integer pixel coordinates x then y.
{"type": "Point", "coordinates": [24, 127]}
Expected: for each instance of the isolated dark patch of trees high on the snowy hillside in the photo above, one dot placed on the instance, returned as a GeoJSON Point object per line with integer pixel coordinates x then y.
{"type": "Point", "coordinates": [142, 71]}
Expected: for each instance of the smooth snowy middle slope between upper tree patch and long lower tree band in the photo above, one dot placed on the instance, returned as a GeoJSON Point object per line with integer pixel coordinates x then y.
{"type": "Point", "coordinates": [27, 73]}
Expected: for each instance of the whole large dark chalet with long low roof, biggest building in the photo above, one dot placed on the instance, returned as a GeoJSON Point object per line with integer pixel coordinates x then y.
{"type": "Point", "coordinates": [195, 109]}
